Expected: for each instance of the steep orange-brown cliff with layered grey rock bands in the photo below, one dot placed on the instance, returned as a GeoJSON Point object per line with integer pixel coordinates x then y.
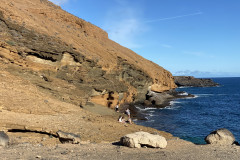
{"type": "Point", "coordinates": [71, 59]}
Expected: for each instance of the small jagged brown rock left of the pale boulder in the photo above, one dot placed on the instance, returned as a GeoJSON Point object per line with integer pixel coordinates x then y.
{"type": "Point", "coordinates": [65, 137]}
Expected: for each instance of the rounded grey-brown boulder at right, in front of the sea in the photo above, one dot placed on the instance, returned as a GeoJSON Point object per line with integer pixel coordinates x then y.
{"type": "Point", "coordinates": [221, 136]}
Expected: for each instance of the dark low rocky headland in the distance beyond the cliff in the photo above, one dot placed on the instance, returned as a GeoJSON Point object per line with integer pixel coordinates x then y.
{"type": "Point", "coordinates": [190, 81]}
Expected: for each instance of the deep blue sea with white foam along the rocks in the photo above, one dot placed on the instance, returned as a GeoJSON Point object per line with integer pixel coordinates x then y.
{"type": "Point", "coordinates": [193, 119]}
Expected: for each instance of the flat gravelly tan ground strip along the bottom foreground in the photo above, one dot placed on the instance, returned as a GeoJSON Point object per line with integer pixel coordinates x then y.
{"type": "Point", "coordinates": [176, 149]}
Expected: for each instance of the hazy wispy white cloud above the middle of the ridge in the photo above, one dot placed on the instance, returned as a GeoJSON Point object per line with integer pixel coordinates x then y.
{"type": "Point", "coordinates": [123, 24]}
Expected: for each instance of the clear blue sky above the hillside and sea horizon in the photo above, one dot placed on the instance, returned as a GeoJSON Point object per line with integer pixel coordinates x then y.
{"type": "Point", "coordinates": [187, 37]}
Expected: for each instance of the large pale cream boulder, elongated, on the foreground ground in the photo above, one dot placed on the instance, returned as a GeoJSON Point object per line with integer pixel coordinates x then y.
{"type": "Point", "coordinates": [138, 139]}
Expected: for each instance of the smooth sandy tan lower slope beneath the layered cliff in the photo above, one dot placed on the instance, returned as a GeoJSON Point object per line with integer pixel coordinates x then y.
{"type": "Point", "coordinates": [28, 115]}
